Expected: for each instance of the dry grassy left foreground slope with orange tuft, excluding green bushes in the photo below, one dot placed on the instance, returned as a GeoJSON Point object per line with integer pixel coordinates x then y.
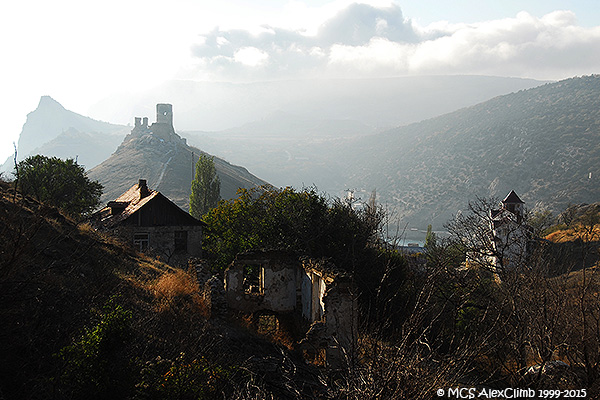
{"type": "Point", "coordinates": [55, 278]}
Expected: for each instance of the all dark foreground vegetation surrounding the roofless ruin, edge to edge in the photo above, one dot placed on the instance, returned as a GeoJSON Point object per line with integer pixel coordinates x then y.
{"type": "Point", "coordinates": [85, 316]}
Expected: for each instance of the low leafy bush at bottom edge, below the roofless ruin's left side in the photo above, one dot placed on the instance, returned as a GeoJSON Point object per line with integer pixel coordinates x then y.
{"type": "Point", "coordinates": [164, 379]}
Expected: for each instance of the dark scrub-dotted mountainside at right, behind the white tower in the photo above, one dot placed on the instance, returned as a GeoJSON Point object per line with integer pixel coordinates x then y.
{"type": "Point", "coordinates": [543, 142]}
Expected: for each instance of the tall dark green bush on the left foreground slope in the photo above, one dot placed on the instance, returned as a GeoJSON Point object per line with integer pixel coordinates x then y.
{"type": "Point", "coordinates": [96, 365]}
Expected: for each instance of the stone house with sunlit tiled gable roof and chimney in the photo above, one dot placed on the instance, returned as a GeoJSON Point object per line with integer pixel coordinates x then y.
{"type": "Point", "coordinates": [152, 223]}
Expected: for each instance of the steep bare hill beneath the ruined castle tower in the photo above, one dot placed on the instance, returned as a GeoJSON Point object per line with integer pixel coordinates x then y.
{"type": "Point", "coordinates": [157, 154]}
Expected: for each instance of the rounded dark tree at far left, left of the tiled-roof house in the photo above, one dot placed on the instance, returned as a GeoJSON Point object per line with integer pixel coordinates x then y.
{"type": "Point", "coordinates": [60, 183]}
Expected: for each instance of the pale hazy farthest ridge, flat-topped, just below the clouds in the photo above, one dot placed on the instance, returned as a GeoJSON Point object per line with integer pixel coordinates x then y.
{"type": "Point", "coordinates": [377, 102]}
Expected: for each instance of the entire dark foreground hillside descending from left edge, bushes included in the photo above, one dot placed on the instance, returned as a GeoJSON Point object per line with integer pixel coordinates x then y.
{"type": "Point", "coordinates": [85, 316]}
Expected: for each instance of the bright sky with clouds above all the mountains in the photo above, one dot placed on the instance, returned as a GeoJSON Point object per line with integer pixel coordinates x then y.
{"type": "Point", "coordinates": [80, 52]}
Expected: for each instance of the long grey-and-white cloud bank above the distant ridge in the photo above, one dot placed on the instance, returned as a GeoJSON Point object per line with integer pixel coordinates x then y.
{"type": "Point", "coordinates": [364, 40]}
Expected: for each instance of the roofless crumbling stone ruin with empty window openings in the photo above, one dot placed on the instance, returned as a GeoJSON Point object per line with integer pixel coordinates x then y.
{"type": "Point", "coordinates": [314, 291]}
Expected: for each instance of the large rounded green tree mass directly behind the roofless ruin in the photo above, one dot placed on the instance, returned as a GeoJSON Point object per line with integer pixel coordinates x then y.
{"type": "Point", "coordinates": [287, 219]}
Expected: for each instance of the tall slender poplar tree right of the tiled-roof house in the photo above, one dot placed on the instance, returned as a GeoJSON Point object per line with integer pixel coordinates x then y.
{"type": "Point", "coordinates": [206, 187]}
